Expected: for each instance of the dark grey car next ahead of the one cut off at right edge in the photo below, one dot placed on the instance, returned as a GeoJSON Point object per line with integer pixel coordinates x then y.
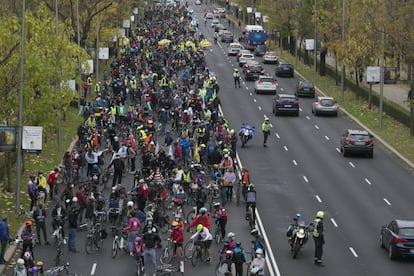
{"type": "Point", "coordinates": [357, 141]}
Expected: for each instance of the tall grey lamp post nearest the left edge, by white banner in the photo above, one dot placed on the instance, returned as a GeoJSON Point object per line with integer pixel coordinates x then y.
{"type": "Point", "coordinates": [20, 115]}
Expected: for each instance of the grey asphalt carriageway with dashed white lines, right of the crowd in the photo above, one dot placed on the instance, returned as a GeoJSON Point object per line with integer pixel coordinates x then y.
{"type": "Point", "coordinates": [343, 185]}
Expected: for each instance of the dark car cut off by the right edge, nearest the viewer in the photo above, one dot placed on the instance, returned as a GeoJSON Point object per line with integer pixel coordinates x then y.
{"type": "Point", "coordinates": [397, 238]}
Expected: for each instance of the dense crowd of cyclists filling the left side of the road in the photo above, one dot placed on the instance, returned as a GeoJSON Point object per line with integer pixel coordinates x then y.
{"type": "Point", "coordinates": [154, 116]}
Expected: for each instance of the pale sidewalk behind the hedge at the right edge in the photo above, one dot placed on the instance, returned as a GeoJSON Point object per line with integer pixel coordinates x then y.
{"type": "Point", "coordinates": [396, 93]}
